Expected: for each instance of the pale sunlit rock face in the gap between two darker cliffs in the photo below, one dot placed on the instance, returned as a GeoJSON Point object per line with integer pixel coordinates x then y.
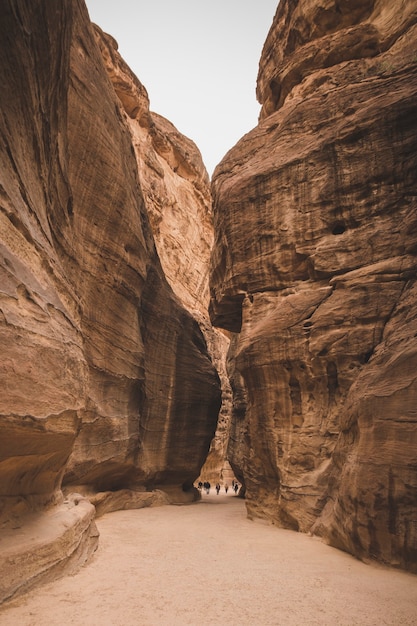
{"type": "Point", "coordinates": [177, 196]}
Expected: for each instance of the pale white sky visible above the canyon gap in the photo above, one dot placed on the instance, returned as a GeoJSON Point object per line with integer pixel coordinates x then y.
{"type": "Point", "coordinates": [198, 60]}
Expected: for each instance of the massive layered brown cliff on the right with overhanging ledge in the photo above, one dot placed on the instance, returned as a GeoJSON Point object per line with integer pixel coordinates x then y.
{"type": "Point", "coordinates": [314, 265]}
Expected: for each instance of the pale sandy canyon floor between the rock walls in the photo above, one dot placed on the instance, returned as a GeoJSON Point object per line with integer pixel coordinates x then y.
{"type": "Point", "coordinates": [206, 564]}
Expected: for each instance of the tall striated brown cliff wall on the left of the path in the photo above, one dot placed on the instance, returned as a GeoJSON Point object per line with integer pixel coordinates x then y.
{"type": "Point", "coordinates": [106, 380]}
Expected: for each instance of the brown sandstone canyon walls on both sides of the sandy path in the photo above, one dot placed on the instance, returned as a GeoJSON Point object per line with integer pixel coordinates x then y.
{"type": "Point", "coordinates": [152, 322]}
